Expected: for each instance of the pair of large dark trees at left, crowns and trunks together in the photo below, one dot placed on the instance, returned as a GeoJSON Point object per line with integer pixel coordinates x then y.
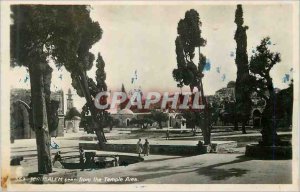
{"type": "Point", "coordinates": [63, 34]}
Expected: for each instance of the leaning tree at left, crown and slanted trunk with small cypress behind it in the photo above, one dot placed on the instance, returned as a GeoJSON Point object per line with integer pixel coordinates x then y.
{"type": "Point", "coordinates": [78, 33]}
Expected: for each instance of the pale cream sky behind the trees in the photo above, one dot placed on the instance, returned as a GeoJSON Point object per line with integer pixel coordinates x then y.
{"type": "Point", "coordinates": [141, 39]}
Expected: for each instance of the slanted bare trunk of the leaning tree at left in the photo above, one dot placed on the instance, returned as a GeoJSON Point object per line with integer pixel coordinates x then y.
{"type": "Point", "coordinates": [97, 126]}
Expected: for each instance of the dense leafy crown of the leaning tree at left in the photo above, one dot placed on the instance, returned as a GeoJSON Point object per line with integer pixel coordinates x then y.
{"type": "Point", "coordinates": [77, 34]}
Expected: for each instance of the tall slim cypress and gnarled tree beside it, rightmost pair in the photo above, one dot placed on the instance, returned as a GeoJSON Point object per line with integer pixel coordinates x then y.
{"type": "Point", "coordinates": [254, 76]}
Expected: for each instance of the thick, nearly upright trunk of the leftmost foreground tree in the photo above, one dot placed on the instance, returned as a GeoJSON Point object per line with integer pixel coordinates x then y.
{"type": "Point", "coordinates": [40, 121]}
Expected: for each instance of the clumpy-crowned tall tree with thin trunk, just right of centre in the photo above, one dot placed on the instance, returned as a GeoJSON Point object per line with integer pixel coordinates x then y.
{"type": "Point", "coordinates": [187, 72]}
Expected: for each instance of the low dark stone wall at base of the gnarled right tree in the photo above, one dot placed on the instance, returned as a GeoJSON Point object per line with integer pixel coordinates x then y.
{"type": "Point", "coordinates": [269, 152]}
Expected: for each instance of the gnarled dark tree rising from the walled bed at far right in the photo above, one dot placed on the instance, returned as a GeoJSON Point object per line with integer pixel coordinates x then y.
{"type": "Point", "coordinates": [260, 66]}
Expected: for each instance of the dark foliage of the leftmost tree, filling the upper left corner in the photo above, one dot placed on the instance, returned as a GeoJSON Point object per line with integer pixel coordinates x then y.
{"type": "Point", "coordinates": [30, 32]}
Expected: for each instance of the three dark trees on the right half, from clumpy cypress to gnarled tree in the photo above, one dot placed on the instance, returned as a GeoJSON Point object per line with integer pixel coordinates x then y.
{"type": "Point", "coordinates": [253, 76]}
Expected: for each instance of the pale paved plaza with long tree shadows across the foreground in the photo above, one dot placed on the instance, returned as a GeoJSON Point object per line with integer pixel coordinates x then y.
{"type": "Point", "coordinates": [230, 167]}
